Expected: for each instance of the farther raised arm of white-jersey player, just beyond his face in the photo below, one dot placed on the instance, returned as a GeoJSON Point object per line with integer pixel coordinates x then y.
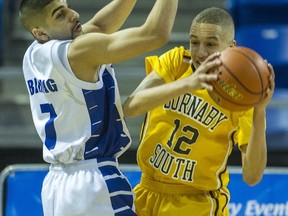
{"type": "Point", "coordinates": [110, 18]}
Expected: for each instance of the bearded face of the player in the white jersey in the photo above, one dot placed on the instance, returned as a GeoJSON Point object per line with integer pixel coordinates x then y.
{"type": "Point", "coordinates": [61, 21]}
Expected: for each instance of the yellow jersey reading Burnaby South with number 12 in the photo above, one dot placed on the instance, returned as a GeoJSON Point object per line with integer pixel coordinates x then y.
{"type": "Point", "coordinates": [188, 140]}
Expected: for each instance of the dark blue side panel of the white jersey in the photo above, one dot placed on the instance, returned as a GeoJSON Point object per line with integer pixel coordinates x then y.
{"type": "Point", "coordinates": [107, 134]}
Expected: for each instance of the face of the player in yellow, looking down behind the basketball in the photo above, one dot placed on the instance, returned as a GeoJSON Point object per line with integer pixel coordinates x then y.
{"type": "Point", "coordinates": [206, 39]}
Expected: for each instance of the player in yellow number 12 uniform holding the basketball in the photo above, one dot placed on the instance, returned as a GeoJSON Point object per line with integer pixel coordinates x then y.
{"type": "Point", "coordinates": [187, 138]}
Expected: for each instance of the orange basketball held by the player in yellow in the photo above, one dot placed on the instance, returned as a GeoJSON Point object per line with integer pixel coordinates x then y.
{"type": "Point", "coordinates": [243, 79]}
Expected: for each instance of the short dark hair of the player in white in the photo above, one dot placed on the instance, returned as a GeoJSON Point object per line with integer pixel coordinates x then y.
{"type": "Point", "coordinates": [29, 9]}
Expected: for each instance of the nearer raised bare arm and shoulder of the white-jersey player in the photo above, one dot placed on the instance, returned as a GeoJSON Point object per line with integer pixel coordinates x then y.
{"type": "Point", "coordinates": [90, 50]}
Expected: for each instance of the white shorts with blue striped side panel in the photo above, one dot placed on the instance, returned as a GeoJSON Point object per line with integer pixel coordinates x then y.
{"type": "Point", "coordinates": [87, 188]}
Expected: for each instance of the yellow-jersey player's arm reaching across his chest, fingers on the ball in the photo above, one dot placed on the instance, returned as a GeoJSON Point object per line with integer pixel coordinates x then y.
{"type": "Point", "coordinates": [153, 91]}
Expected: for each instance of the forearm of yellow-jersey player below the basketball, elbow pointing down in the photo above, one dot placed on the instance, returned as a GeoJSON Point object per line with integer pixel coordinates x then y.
{"type": "Point", "coordinates": [255, 159]}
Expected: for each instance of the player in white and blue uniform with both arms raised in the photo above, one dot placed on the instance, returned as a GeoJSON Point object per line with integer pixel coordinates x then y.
{"type": "Point", "coordinates": [75, 100]}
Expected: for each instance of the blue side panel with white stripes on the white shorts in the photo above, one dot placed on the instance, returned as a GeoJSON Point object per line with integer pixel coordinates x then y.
{"type": "Point", "coordinates": [120, 191]}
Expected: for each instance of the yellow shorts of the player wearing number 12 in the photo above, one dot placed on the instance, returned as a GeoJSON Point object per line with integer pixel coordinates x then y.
{"type": "Point", "coordinates": [159, 199]}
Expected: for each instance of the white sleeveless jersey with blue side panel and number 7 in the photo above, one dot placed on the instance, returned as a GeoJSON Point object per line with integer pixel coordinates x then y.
{"type": "Point", "coordinates": [76, 120]}
